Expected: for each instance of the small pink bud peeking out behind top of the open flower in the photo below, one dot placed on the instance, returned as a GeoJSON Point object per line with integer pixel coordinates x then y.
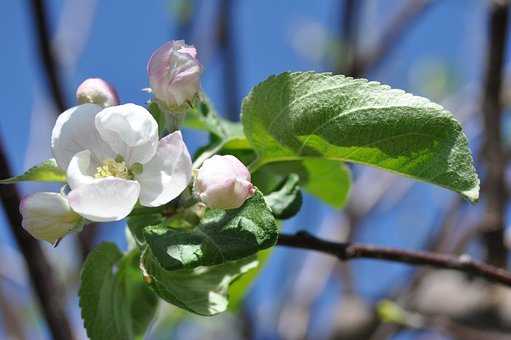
{"type": "Point", "coordinates": [97, 91]}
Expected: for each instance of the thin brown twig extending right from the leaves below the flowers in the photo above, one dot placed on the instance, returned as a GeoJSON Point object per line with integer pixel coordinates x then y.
{"type": "Point", "coordinates": [348, 251]}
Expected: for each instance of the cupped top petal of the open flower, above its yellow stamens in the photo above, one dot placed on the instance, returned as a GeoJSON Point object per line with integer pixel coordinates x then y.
{"type": "Point", "coordinates": [130, 130]}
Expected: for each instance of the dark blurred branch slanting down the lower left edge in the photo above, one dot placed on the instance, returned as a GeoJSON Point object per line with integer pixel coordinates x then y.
{"type": "Point", "coordinates": [42, 275]}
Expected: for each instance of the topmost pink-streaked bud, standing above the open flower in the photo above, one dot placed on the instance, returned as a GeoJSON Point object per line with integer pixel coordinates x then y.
{"type": "Point", "coordinates": [174, 73]}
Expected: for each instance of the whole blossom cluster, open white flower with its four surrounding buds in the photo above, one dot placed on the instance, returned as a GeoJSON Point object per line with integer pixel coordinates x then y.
{"type": "Point", "coordinates": [114, 159]}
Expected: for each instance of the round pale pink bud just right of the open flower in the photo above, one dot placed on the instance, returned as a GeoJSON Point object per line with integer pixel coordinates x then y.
{"type": "Point", "coordinates": [223, 182]}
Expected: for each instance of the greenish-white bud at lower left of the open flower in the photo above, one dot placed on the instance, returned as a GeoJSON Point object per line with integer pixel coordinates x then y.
{"type": "Point", "coordinates": [48, 216]}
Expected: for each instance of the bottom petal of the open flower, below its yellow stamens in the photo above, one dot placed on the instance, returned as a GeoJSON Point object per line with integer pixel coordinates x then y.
{"type": "Point", "coordinates": [105, 199]}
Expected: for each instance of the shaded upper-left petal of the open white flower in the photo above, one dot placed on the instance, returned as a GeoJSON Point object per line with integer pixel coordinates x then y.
{"type": "Point", "coordinates": [75, 131]}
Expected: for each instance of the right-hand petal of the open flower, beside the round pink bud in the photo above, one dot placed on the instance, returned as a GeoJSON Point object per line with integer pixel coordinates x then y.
{"type": "Point", "coordinates": [166, 175]}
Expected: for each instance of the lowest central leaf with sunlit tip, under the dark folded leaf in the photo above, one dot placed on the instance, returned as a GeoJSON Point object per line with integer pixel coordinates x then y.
{"type": "Point", "coordinates": [201, 290]}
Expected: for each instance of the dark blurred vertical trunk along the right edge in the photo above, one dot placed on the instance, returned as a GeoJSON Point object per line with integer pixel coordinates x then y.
{"type": "Point", "coordinates": [494, 154]}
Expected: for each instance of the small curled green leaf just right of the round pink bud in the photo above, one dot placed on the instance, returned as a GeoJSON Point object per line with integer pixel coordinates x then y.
{"type": "Point", "coordinates": [286, 201]}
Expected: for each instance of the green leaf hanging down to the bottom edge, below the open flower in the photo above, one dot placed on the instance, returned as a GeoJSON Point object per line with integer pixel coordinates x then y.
{"type": "Point", "coordinates": [114, 300]}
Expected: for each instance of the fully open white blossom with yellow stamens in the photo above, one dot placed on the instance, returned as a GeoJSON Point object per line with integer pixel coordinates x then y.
{"type": "Point", "coordinates": [113, 159]}
